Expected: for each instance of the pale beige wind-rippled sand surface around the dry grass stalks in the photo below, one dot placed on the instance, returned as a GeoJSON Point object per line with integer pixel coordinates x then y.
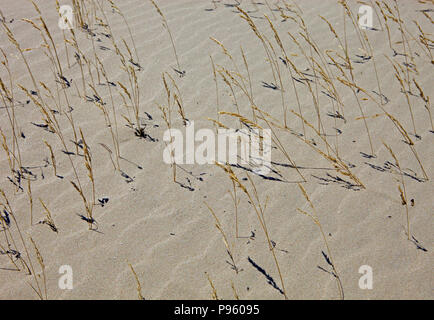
{"type": "Point", "coordinates": [164, 229]}
